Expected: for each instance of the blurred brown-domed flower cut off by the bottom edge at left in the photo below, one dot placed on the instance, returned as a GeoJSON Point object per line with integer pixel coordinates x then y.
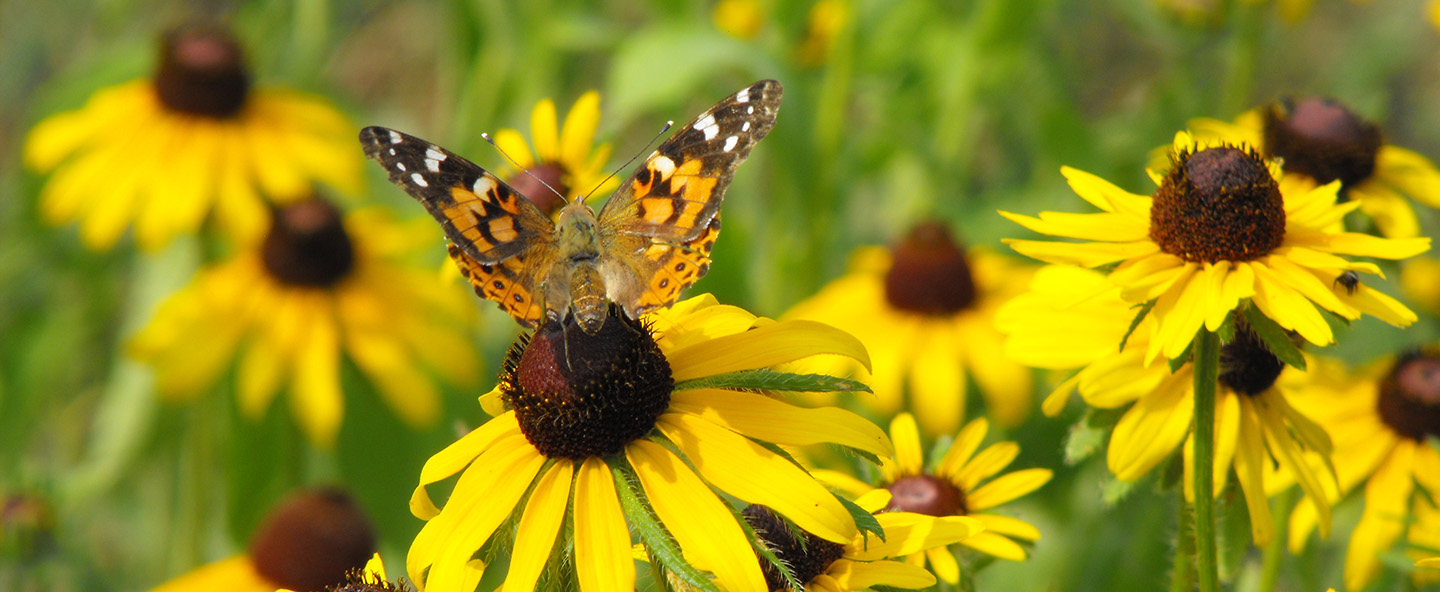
{"type": "Point", "coordinates": [310, 542]}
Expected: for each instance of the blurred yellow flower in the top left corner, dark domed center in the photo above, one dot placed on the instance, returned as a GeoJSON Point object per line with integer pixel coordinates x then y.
{"type": "Point", "coordinates": [162, 155]}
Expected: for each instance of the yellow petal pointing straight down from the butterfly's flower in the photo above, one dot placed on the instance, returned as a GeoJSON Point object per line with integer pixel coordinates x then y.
{"type": "Point", "coordinates": [603, 551]}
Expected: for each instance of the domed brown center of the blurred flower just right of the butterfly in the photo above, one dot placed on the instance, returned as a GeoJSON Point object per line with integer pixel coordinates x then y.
{"type": "Point", "coordinates": [930, 274]}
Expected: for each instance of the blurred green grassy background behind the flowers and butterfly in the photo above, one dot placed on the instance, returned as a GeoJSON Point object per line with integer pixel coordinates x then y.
{"type": "Point", "coordinates": [906, 110]}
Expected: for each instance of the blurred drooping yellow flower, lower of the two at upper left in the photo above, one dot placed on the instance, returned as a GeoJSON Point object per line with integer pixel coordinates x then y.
{"type": "Point", "coordinates": [318, 287]}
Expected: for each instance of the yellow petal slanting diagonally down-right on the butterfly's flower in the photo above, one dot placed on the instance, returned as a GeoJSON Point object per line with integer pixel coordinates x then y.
{"type": "Point", "coordinates": [752, 473]}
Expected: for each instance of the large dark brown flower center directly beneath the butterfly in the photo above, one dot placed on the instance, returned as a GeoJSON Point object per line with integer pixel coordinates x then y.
{"type": "Point", "coordinates": [580, 395]}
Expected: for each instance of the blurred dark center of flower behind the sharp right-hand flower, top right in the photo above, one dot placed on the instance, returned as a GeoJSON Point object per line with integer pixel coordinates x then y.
{"type": "Point", "coordinates": [1321, 139]}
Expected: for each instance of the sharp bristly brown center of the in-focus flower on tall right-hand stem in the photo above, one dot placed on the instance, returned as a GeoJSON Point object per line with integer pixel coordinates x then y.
{"type": "Point", "coordinates": [1218, 205]}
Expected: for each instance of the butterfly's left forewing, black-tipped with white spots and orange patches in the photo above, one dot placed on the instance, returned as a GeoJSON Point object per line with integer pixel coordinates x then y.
{"type": "Point", "coordinates": [480, 214]}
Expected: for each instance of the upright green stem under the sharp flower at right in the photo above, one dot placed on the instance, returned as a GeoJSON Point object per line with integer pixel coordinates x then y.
{"type": "Point", "coordinates": [1207, 381]}
